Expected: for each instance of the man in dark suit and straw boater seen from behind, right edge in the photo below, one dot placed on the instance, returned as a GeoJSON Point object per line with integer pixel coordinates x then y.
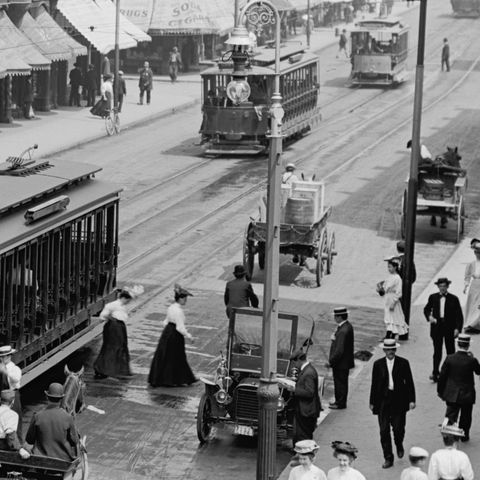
{"type": "Point", "coordinates": [456, 385]}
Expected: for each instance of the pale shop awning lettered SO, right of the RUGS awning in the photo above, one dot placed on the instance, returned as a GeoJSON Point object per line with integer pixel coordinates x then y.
{"type": "Point", "coordinates": [178, 17]}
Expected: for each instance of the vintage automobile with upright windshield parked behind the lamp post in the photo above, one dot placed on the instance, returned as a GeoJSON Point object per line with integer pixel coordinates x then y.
{"type": "Point", "coordinates": [230, 396]}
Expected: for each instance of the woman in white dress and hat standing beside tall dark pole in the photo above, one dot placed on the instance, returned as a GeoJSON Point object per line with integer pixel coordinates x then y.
{"type": "Point", "coordinates": [392, 292]}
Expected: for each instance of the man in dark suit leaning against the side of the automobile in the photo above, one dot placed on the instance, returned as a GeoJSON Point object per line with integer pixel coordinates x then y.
{"type": "Point", "coordinates": [306, 399]}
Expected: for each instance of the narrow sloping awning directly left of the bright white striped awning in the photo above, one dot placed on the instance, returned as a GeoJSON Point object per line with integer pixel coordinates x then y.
{"type": "Point", "coordinates": [55, 34]}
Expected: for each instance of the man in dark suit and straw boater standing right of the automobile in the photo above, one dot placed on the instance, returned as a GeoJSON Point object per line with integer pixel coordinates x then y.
{"type": "Point", "coordinates": [341, 357]}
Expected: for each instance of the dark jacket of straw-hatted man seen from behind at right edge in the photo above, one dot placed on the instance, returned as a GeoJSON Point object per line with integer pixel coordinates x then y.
{"type": "Point", "coordinates": [456, 383]}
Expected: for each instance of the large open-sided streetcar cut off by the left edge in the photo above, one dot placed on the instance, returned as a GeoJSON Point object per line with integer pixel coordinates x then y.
{"type": "Point", "coordinates": [58, 257]}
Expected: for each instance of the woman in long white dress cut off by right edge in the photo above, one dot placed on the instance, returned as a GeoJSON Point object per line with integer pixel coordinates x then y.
{"type": "Point", "coordinates": [472, 286]}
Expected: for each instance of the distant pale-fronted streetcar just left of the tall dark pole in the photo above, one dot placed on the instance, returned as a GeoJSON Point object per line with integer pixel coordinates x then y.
{"type": "Point", "coordinates": [379, 52]}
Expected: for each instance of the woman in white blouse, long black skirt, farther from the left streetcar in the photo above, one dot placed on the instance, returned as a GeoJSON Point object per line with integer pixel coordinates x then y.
{"type": "Point", "coordinates": [169, 365]}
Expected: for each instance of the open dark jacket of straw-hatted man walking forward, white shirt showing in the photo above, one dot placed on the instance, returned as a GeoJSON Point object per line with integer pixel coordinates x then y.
{"type": "Point", "coordinates": [403, 387]}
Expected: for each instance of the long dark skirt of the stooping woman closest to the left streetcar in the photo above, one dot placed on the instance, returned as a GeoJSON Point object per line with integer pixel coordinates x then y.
{"type": "Point", "coordinates": [114, 357]}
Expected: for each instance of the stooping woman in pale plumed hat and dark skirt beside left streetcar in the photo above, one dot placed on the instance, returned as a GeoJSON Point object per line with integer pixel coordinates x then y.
{"type": "Point", "coordinates": [114, 357]}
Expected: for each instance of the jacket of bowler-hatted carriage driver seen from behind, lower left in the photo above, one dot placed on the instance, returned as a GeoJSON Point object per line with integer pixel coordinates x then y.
{"type": "Point", "coordinates": [52, 433]}
